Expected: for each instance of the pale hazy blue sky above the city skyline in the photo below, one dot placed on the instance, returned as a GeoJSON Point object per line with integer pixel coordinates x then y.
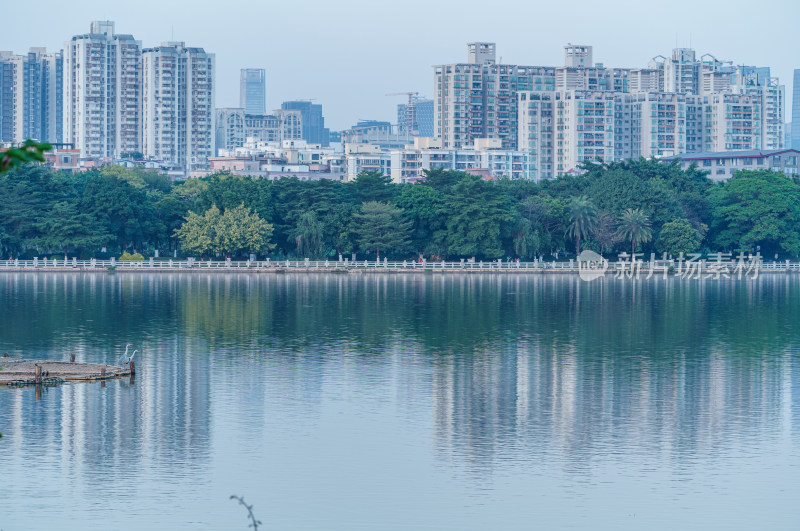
{"type": "Point", "coordinates": [347, 54]}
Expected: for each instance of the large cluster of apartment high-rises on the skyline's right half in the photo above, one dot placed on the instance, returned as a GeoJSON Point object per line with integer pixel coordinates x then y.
{"type": "Point", "coordinates": [584, 111]}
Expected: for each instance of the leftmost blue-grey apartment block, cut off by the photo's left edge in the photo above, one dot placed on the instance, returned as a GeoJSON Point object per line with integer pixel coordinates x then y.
{"type": "Point", "coordinates": [31, 96]}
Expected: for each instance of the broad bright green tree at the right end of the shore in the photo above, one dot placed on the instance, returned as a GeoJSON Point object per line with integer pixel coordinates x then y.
{"type": "Point", "coordinates": [757, 208]}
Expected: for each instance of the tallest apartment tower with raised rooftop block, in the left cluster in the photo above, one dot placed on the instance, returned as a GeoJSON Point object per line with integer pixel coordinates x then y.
{"type": "Point", "coordinates": [102, 92]}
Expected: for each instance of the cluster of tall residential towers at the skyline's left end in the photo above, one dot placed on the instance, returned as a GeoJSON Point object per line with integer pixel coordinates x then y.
{"type": "Point", "coordinates": [108, 97]}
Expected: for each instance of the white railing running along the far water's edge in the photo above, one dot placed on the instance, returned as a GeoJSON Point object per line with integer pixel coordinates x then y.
{"type": "Point", "coordinates": [643, 267]}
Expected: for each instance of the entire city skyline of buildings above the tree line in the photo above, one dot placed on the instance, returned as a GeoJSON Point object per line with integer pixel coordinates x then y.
{"type": "Point", "coordinates": [106, 98]}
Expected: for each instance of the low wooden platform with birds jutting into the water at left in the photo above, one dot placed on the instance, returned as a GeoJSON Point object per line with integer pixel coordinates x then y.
{"type": "Point", "coordinates": [17, 371]}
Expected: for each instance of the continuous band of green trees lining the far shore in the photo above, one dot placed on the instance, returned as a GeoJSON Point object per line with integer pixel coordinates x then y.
{"type": "Point", "coordinates": [638, 206]}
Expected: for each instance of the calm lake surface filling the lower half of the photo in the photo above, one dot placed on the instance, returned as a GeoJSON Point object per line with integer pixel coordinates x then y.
{"type": "Point", "coordinates": [336, 402]}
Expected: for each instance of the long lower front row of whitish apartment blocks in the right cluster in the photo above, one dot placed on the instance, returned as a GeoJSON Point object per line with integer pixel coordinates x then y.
{"type": "Point", "coordinates": [561, 129]}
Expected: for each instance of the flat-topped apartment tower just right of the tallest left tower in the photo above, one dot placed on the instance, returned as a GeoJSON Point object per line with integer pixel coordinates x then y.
{"type": "Point", "coordinates": [178, 105]}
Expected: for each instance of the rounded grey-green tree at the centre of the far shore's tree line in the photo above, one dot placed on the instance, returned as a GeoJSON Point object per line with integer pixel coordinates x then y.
{"type": "Point", "coordinates": [382, 226]}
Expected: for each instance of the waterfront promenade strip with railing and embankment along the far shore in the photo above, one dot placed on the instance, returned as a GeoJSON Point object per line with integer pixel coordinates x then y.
{"type": "Point", "coordinates": [649, 268]}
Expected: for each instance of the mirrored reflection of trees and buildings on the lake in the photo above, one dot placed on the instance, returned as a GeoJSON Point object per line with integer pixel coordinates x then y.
{"type": "Point", "coordinates": [520, 370]}
